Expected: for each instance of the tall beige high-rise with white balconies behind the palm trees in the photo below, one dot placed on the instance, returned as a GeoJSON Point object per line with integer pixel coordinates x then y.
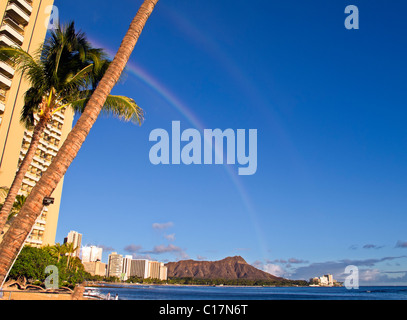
{"type": "Point", "coordinates": [24, 23]}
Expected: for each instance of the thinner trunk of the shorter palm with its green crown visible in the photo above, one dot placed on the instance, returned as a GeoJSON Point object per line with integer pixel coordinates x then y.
{"type": "Point", "coordinates": [22, 170]}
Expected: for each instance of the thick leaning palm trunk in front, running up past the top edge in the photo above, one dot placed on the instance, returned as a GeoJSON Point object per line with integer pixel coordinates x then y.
{"type": "Point", "coordinates": [14, 238]}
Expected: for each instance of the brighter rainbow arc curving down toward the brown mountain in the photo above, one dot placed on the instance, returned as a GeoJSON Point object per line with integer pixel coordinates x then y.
{"type": "Point", "coordinates": [176, 103]}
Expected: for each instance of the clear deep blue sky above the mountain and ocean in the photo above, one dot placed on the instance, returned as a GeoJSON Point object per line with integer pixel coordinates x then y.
{"type": "Point", "coordinates": [329, 107]}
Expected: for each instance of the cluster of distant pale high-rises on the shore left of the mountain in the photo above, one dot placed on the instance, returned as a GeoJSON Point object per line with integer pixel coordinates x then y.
{"type": "Point", "coordinates": [119, 266]}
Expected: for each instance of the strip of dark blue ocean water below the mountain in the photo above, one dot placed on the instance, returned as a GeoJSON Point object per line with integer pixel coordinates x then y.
{"type": "Point", "coordinates": [170, 292]}
